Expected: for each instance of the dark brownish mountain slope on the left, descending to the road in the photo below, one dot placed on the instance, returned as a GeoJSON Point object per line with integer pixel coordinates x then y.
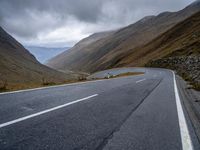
{"type": "Point", "coordinates": [20, 69]}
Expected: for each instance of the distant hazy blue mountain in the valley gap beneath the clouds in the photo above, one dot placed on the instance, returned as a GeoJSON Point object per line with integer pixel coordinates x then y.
{"type": "Point", "coordinates": [45, 53]}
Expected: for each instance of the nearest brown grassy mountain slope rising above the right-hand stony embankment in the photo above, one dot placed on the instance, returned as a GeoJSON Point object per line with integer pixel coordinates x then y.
{"type": "Point", "coordinates": [181, 40]}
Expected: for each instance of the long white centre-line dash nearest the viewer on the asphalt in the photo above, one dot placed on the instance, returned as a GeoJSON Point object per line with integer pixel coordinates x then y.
{"type": "Point", "coordinates": [45, 111]}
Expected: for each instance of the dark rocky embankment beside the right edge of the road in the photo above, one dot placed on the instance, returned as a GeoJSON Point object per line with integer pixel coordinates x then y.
{"type": "Point", "coordinates": [187, 67]}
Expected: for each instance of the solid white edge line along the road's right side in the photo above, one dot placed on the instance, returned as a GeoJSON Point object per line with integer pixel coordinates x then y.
{"type": "Point", "coordinates": [185, 136]}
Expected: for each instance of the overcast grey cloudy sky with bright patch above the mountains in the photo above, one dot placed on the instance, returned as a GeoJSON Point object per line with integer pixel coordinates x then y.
{"type": "Point", "coordinates": [61, 23]}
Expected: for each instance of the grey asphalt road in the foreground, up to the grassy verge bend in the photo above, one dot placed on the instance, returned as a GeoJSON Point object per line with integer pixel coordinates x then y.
{"type": "Point", "coordinates": [136, 112]}
